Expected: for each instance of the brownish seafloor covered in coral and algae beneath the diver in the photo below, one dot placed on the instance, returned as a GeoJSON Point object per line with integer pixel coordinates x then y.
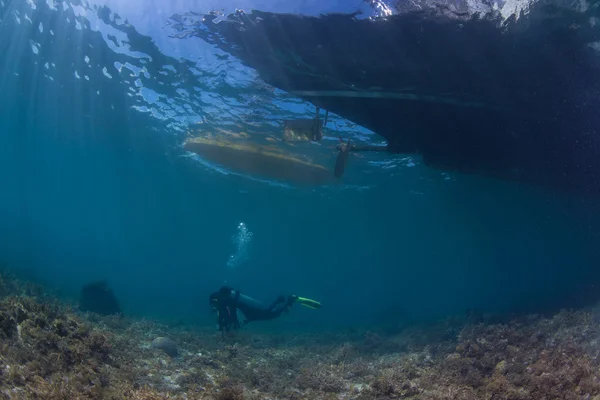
{"type": "Point", "coordinates": [52, 351]}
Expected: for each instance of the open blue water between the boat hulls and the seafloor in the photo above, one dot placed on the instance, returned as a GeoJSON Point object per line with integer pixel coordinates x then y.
{"type": "Point", "coordinates": [95, 185]}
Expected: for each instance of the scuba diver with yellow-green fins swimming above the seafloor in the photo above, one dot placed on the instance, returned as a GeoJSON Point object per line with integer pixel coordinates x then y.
{"type": "Point", "coordinates": [227, 301]}
